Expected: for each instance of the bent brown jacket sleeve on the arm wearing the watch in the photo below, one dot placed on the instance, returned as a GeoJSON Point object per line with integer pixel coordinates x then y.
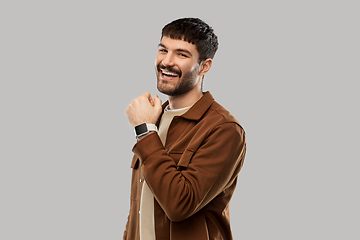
{"type": "Point", "coordinates": [183, 190]}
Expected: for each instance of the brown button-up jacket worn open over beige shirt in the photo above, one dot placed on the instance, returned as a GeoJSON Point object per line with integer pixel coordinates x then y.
{"type": "Point", "coordinates": [193, 177]}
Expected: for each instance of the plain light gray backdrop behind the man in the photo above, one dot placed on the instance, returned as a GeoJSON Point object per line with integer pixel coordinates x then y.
{"type": "Point", "coordinates": [287, 70]}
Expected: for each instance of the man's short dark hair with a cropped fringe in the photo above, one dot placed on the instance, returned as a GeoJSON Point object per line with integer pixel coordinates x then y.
{"type": "Point", "coordinates": [195, 31]}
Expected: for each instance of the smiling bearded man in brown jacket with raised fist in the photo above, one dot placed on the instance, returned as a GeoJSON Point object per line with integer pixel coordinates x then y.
{"type": "Point", "coordinates": [189, 150]}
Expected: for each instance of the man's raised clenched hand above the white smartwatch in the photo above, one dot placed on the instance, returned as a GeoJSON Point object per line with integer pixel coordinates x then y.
{"type": "Point", "coordinates": [144, 109]}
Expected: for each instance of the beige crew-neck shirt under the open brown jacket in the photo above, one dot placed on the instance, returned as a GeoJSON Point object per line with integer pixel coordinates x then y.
{"type": "Point", "coordinates": [147, 221]}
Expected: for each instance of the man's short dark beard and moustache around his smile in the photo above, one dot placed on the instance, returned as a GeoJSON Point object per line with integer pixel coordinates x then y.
{"type": "Point", "coordinates": [186, 81]}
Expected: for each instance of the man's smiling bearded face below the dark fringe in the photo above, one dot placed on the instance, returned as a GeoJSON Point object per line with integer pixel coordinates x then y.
{"type": "Point", "coordinates": [177, 66]}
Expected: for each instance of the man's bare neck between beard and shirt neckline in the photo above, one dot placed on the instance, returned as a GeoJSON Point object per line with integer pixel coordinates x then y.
{"type": "Point", "coordinates": [185, 100]}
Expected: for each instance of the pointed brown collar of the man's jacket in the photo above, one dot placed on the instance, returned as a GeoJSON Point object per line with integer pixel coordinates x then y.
{"type": "Point", "coordinates": [198, 109]}
